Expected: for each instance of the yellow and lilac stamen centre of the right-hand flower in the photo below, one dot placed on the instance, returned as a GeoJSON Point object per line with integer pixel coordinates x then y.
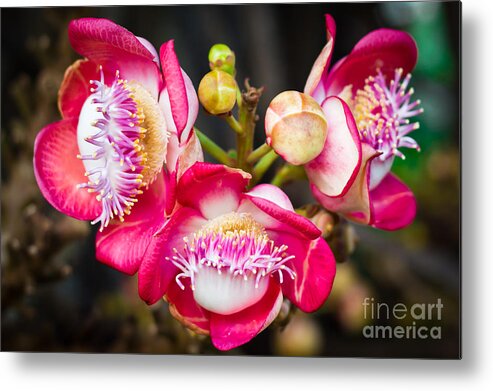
{"type": "Point", "coordinates": [382, 110]}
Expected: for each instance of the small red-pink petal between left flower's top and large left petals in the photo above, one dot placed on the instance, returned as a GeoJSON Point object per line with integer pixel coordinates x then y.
{"type": "Point", "coordinates": [75, 88]}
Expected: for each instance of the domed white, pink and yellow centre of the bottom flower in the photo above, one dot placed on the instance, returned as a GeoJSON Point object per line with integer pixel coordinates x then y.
{"type": "Point", "coordinates": [228, 263]}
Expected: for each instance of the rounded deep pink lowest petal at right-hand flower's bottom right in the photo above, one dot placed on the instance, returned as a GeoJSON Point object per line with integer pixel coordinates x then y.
{"type": "Point", "coordinates": [393, 204]}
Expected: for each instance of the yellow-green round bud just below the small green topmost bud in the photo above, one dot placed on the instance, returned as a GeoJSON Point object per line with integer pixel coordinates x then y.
{"type": "Point", "coordinates": [217, 92]}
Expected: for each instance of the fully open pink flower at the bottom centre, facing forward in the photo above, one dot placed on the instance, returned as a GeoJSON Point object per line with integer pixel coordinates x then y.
{"type": "Point", "coordinates": [226, 257]}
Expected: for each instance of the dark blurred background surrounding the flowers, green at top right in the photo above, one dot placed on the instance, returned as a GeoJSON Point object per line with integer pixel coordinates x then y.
{"type": "Point", "coordinates": [57, 297]}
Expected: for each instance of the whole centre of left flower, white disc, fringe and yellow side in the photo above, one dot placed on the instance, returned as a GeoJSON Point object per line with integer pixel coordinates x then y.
{"type": "Point", "coordinates": [122, 144]}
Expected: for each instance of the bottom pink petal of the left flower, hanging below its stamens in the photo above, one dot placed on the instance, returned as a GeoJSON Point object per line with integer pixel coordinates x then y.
{"type": "Point", "coordinates": [122, 245]}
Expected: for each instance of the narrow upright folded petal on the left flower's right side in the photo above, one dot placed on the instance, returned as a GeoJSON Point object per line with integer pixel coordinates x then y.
{"type": "Point", "coordinates": [179, 97]}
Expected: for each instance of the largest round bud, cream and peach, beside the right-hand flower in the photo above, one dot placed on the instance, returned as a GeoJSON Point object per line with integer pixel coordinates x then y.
{"type": "Point", "coordinates": [296, 127]}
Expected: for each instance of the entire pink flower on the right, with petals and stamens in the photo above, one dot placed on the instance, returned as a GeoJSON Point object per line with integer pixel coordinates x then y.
{"type": "Point", "coordinates": [367, 103]}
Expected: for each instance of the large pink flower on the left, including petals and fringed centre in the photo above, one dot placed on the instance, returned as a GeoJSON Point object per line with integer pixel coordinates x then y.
{"type": "Point", "coordinates": [104, 159]}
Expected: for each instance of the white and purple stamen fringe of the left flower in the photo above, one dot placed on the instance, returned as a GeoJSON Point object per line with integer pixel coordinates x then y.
{"type": "Point", "coordinates": [120, 160]}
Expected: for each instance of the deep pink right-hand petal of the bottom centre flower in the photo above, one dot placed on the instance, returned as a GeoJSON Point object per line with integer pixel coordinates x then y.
{"type": "Point", "coordinates": [315, 269]}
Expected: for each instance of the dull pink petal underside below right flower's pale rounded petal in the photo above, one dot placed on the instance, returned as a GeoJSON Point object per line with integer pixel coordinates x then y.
{"type": "Point", "coordinates": [355, 203]}
